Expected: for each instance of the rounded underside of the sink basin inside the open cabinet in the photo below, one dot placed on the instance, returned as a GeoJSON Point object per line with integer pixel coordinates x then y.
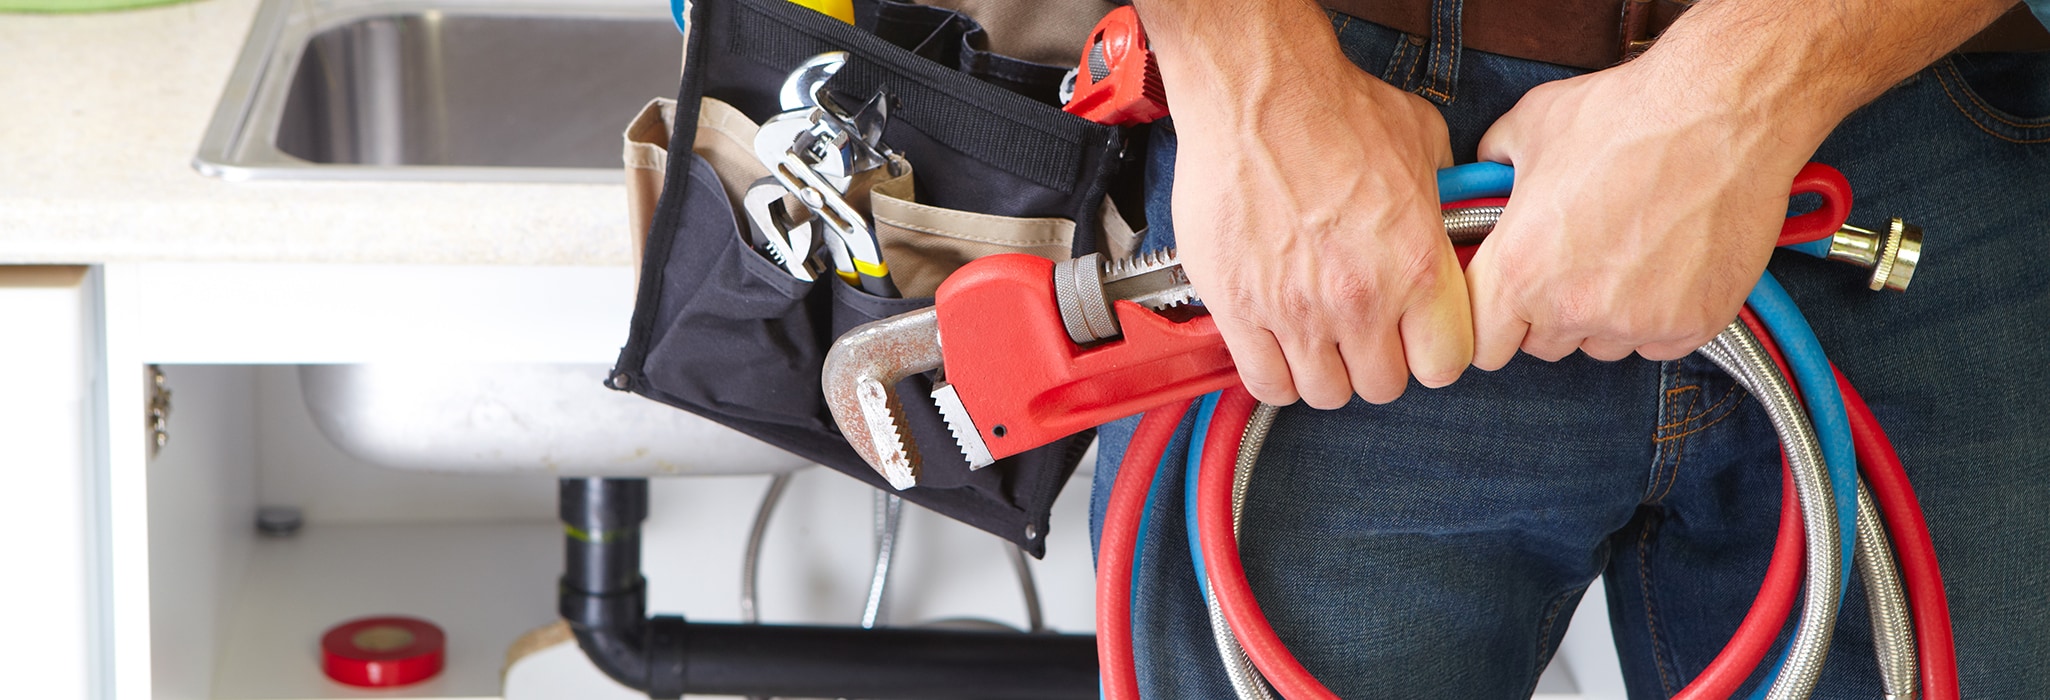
{"type": "Point", "coordinates": [520, 420]}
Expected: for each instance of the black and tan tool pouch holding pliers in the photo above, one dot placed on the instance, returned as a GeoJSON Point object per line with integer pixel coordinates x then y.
{"type": "Point", "coordinates": [729, 336]}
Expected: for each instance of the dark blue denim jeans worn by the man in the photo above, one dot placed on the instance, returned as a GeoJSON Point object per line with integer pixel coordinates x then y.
{"type": "Point", "coordinates": [1436, 547]}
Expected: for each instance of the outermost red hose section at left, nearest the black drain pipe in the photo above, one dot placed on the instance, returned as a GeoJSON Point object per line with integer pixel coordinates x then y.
{"type": "Point", "coordinates": [1120, 539]}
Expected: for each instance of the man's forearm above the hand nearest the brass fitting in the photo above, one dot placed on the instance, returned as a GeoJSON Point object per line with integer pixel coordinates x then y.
{"type": "Point", "coordinates": [1803, 67]}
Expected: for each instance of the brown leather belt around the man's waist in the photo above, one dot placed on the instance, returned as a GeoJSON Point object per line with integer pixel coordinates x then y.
{"type": "Point", "coordinates": [1600, 34]}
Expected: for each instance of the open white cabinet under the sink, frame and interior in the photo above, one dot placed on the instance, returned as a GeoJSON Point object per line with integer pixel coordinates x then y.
{"type": "Point", "coordinates": [194, 605]}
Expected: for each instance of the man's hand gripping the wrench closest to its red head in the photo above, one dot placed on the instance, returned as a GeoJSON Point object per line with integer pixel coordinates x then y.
{"type": "Point", "coordinates": [1307, 208]}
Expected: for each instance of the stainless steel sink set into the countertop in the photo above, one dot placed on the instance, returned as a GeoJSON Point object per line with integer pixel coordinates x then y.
{"type": "Point", "coordinates": [440, 91]}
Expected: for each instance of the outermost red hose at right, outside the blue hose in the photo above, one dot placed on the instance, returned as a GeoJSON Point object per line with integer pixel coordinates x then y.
{"type": "Point", "coordinates": [1905, 527]}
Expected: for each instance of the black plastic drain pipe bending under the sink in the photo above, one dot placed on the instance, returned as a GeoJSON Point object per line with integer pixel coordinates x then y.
{"type": "Point", "coordinates": [606, 600]}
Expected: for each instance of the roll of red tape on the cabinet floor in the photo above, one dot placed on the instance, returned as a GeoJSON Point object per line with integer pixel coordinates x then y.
{"type": "Point", "coordinates": [382, 652]}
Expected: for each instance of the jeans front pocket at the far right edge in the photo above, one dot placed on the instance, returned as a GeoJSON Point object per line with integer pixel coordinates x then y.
{"type": "Point", "coordinates": [2006, 95]}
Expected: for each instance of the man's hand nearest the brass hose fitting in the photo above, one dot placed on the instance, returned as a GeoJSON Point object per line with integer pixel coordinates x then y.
{"type": "Point", "coordinates": [1643, 215]}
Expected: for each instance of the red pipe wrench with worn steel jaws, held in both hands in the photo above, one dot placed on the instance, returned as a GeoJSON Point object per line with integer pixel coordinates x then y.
{"type": "Point", "coordinates": [1034, 350]}
